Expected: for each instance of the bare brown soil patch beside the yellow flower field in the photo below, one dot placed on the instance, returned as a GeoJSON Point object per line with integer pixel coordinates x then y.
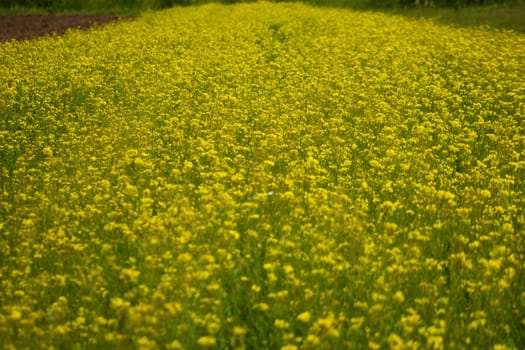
{"type": "Point", "coordinates": [26, 27]}
